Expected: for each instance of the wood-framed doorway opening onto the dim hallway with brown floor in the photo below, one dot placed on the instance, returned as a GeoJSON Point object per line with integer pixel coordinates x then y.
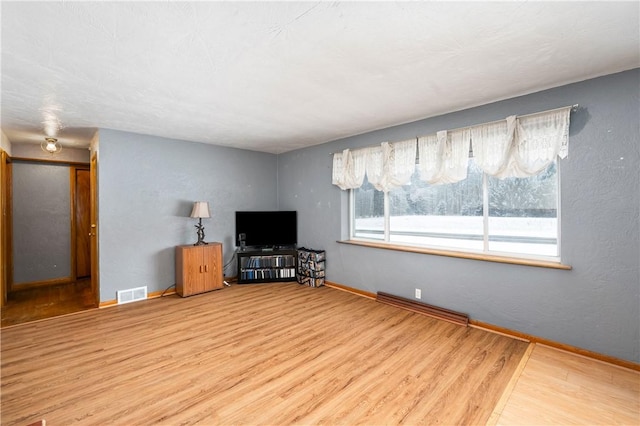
{"type": "Point", "coordinates": [62, 279]}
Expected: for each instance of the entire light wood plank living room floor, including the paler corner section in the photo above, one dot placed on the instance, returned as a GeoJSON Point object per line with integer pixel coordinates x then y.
{"type": "Point", "coordinates": [277, 354]}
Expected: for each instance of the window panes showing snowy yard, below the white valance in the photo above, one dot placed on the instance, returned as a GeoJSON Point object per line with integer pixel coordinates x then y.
{"type": "Point", "coordinates": [516, 217]}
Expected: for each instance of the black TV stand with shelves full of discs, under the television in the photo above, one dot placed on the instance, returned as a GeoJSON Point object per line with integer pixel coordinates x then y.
{"type": "Point", "coordinates": [266, 264]}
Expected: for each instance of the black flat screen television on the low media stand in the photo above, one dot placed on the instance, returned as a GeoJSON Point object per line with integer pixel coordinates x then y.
{"type": "Point", "coordinates": [262, 229]}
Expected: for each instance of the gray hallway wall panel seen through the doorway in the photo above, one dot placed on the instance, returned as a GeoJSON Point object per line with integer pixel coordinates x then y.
{"type": "Point", "coordinates": [41, 222]}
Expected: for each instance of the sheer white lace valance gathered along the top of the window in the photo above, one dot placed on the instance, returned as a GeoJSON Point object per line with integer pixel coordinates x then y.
{"type": "Point", "coordinates": [513, 147]}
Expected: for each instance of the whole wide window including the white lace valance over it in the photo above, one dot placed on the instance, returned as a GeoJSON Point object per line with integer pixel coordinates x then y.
{"type": "Point", "coordinates": [491, 188]}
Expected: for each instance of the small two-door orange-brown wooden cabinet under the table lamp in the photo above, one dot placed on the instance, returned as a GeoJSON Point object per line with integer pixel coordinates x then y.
{"type": "Point", "coordinates": [198, 269]}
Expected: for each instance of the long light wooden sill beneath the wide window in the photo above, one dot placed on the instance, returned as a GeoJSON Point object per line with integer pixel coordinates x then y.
{"type": "Point", "coordinates": [462, 255]}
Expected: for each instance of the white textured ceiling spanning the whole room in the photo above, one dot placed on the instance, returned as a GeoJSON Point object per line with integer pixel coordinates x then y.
{"type": "Point", "coordinates": [277, 76]}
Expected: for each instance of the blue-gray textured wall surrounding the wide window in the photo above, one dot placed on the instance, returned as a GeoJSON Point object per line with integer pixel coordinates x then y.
{"type": "Point", "coordinates": [595, 306]}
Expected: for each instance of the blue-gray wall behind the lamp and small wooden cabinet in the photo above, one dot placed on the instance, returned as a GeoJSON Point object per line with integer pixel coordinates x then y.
{"type": "Point", "coordinates": [147, 186]}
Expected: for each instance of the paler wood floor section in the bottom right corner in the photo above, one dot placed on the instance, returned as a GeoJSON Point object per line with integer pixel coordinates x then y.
{"type": "Point", "coordinates": [558, 388]}
